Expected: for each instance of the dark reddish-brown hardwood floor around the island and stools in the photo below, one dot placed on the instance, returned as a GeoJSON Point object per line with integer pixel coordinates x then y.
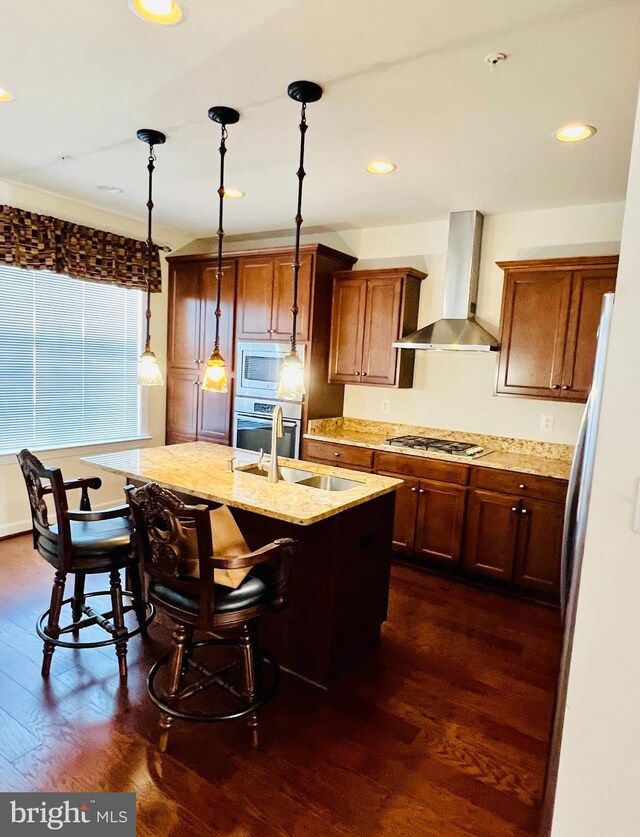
{"type": "Point", "coordinates": [442, 732]}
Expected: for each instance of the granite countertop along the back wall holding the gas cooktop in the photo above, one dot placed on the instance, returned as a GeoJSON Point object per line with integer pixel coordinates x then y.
{"type": "Point", "coordinates": [545, 459]}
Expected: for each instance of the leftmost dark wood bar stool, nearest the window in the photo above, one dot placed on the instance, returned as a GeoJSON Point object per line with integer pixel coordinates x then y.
{"type": "Point", "coordinates": [83, 542]}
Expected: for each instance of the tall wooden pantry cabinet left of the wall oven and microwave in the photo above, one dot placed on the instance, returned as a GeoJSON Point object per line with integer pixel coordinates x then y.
{"type": "Point", "coordinates": [191, 413]}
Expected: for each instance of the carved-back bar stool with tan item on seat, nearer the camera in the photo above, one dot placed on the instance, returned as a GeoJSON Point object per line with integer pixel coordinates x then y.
{"type": "Point", "coordinates": [211, 583]}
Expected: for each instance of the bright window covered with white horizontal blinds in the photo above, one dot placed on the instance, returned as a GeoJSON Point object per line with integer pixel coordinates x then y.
{"type": "Point", "coordinates": [68, 361]}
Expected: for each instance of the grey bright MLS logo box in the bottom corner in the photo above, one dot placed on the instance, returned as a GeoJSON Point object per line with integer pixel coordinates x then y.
{"type": "Point", "coordinates": [36, 814]}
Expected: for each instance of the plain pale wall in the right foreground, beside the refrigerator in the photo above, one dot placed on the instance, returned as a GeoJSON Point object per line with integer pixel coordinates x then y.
{"type": "Point", "coordinates": [599, 780]}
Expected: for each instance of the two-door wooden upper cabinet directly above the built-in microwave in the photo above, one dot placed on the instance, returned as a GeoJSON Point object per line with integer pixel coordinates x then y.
{"type": "Point", "coordinates": [265, 295]}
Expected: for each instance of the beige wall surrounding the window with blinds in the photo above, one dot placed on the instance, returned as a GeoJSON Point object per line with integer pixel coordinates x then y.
{"type": "Point", "coordinates": [14, 508]}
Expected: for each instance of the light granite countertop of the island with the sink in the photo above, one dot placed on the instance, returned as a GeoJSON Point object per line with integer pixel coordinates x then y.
{"type": "Point", "coordinates": [201, 469]}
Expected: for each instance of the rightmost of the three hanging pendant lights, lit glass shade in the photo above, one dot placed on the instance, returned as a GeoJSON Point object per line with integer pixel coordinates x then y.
{"type": "Point", "coordinates": [291, 384]}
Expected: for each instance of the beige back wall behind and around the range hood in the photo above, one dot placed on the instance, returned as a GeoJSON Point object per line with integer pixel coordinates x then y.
{"type": "Point", "coordinates": [455, 390]}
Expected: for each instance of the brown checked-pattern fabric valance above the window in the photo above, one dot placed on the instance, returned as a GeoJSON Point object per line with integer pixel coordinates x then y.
{"type": "Point", "coordinates": [40, 242]}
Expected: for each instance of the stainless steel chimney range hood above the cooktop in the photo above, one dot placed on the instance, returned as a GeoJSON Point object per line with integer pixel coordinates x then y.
{"type": "Point", "coordinates": [457, 330]}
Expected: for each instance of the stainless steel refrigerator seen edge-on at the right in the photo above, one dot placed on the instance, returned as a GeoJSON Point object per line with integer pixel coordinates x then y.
{"type": "Point", "coordinates": [575, 527]}
